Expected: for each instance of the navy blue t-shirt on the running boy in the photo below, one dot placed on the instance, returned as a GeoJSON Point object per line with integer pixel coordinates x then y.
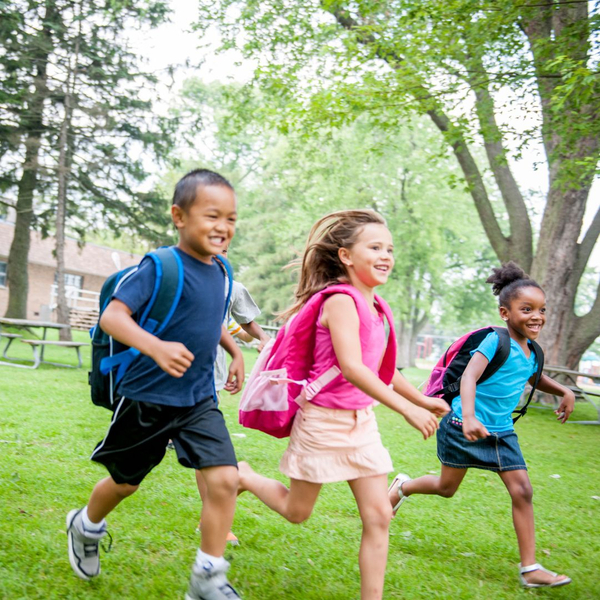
{"type": "Point", "coordinates": [196, 323]}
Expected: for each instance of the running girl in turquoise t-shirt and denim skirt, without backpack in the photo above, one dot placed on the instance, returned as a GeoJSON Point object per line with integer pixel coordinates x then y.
{"type": "Point", "coordinates": [479, 431]}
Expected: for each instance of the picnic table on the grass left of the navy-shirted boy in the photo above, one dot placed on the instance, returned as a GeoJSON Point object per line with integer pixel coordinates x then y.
{"type": "Point", "coordinates": [37, 346]}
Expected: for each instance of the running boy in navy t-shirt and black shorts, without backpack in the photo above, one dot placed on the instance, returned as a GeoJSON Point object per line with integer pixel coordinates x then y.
{"type": "Point", "coordinates": [167, 393]}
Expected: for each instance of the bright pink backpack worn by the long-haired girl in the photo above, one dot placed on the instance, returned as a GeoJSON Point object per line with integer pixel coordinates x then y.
{"type": "Point", "coordinates": [278, 384]}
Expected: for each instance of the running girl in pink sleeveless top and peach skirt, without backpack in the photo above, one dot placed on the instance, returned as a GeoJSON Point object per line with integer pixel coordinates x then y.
{"type": "Point", "coordinates": [334, 436]}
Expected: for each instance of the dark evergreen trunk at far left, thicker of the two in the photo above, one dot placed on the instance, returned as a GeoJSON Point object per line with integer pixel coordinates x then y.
{"type": "Point", "coordinates": [32, 124]}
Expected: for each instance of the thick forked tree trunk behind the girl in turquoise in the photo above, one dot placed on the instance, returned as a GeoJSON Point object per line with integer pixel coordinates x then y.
{"type": "Point", "coordinates": [559, 40]}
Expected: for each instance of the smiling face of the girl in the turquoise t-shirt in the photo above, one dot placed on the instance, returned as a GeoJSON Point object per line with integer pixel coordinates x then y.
{"type": "Point", "coordinates": [526, 314]}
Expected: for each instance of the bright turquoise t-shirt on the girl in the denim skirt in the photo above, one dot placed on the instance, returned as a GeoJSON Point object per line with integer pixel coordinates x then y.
{"type": "Point", "coordinates": [497, 397]}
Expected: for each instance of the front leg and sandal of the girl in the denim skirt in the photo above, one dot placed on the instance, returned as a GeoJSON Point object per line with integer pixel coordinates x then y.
{"type": "Point", "coordinates": [519, 487]}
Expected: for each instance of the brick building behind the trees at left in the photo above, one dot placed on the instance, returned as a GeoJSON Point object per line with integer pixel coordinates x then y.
{"type": "Point", "coordinates": [86, 268]}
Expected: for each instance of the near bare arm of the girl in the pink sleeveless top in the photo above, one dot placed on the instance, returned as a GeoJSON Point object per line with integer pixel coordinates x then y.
{"type": "Point", "coordinates": [341, 317]}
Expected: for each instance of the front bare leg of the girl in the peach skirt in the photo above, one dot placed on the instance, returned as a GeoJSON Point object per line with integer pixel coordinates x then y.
{"type": "Point", "coordinates": [376, 514]}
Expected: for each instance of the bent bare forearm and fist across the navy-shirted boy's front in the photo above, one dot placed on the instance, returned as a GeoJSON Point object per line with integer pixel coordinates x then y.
{"type": "Point", "coordinates": [172, 357]}
